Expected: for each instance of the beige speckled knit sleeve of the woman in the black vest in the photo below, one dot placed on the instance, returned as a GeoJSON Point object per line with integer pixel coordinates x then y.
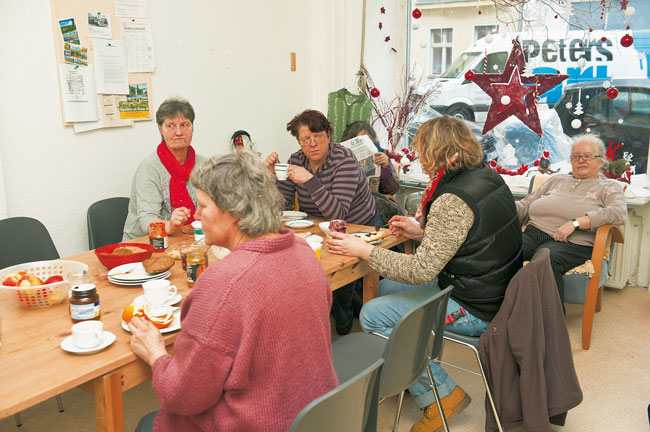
{"type": "Point", "coordinates": [449, 221]}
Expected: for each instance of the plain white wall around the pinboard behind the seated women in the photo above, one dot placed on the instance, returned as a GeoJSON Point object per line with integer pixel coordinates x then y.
{"type": "Point", "coordinates": [229, 59]}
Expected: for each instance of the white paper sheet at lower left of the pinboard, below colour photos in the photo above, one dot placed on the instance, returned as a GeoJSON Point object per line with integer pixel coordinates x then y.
{"type": "Point", "coordinates": [79, 95]}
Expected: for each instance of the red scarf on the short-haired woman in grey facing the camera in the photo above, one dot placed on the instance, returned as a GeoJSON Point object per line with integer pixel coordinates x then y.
{"type": "Point", "coordinates": [178, 194]}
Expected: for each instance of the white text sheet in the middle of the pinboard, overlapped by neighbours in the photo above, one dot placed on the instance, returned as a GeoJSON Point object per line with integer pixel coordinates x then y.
{"type": "Point", "coordinates": [111, 67]}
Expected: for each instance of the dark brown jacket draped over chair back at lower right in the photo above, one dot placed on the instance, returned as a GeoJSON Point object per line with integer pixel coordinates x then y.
{"type": "Point", "coordinates": [526, 353]}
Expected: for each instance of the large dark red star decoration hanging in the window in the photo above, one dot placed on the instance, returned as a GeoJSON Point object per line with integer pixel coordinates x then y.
{"type": "Point", "coordinates": [522, 90]}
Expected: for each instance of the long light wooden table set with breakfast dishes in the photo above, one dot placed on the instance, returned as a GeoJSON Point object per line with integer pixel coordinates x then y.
{"type": "Point", "coordinates": [34, 368]}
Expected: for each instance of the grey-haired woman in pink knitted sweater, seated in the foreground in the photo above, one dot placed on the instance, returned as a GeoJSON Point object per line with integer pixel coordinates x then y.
{"type": "Point", "coordinates": [254, 348]}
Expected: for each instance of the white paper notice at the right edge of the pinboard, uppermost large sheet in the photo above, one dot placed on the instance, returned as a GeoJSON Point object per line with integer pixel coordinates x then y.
{"type": "Point", "coordinates": [137, 35]}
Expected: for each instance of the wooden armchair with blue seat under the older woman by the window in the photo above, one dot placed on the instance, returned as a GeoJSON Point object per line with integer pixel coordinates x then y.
{"type": "Point", "coordinates": [582, 286]}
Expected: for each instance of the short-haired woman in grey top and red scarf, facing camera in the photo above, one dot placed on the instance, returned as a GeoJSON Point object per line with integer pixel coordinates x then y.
{"type": "Point", "coordinates": [161, 188]}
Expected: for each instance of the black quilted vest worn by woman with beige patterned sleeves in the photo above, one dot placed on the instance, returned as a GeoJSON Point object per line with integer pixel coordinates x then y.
{"type": "Point", "coordinates": [491, 254]}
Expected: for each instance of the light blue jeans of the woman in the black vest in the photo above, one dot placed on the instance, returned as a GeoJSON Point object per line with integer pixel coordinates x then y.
{"type": "Point", "coordinates": [381, 314]}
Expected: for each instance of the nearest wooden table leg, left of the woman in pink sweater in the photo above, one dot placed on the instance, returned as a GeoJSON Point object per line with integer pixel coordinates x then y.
{"type": "Point", "coordinates": [109, 411]}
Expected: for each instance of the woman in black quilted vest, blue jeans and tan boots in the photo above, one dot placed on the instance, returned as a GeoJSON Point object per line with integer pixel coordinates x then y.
{"type": "Point", "coordinates": [470, 238]}
